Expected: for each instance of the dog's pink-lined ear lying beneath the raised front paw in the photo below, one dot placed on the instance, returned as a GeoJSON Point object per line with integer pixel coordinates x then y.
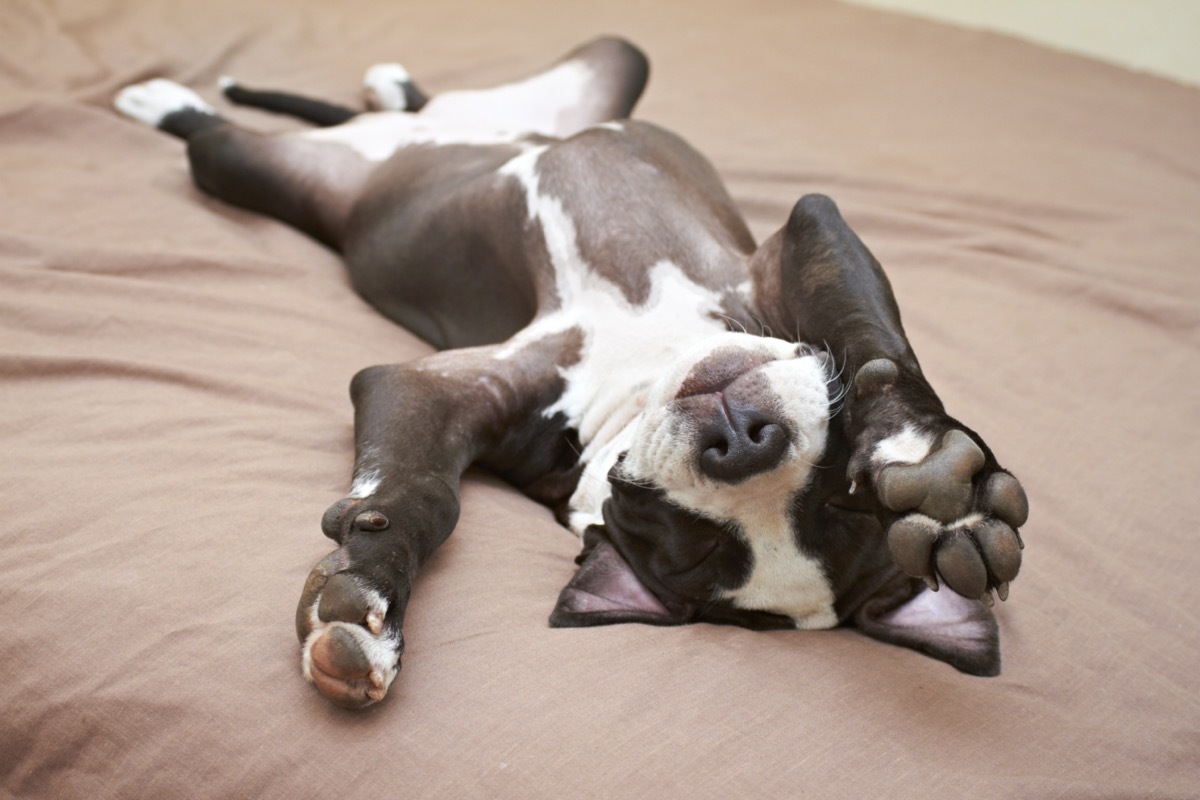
{"type": "Point", "coordinates": [941, 624]}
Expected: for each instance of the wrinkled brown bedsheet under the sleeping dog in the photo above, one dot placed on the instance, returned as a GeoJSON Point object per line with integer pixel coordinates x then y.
{"type": "Point", "coordinates": [176, 420]}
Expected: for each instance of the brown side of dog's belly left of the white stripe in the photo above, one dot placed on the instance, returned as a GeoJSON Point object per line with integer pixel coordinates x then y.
{"type": "Point", "coordinates": [437, 244]}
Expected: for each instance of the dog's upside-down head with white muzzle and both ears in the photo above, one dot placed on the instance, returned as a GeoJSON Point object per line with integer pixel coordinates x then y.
{"type": "Point", "coordinates": [731, 506]}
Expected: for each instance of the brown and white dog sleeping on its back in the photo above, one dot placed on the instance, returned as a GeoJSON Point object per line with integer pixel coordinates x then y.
{"type": "Point", "coordinates": [740, 434]}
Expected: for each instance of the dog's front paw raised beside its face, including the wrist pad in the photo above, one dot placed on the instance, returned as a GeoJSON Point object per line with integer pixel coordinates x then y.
{"type": "Point", "coordinates": [955, 515]}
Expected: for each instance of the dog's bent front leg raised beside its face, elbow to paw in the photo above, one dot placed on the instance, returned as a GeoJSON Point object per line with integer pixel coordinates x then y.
{"type": "Point", "coordinates": [952, 513]}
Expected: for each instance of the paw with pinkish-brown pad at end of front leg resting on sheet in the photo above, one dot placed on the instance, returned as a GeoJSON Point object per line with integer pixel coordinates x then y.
{"type": "Point", "coordinates": [351, 647]}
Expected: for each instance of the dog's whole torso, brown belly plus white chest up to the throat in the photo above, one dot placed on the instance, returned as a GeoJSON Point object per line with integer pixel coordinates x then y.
{"type": "Point", "coordinates": [622, 234]}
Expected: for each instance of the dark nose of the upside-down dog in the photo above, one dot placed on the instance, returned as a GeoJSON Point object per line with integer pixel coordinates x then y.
{"type": "Point", "coordinates": [740, 444]}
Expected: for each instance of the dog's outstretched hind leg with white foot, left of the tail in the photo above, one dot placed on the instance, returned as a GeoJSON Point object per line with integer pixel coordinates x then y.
{"type": "Point", "coordinates": [311, 185]}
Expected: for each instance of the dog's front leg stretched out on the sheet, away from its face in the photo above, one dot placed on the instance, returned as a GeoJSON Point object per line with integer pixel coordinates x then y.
{"type": "Point", "coordinates": [418, 426]}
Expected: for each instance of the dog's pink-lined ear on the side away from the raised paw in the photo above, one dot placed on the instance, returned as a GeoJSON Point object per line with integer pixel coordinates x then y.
{"type": "Point", "coordinates": [605, 591]}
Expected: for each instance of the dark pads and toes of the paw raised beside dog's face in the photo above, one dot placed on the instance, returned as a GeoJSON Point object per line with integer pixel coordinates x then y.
{"type": "Point", "coordinates": [961, 519]}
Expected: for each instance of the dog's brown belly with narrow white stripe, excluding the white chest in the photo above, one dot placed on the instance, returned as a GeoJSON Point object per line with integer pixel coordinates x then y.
{"type": "Point", "coordinates": [466, 243]}
